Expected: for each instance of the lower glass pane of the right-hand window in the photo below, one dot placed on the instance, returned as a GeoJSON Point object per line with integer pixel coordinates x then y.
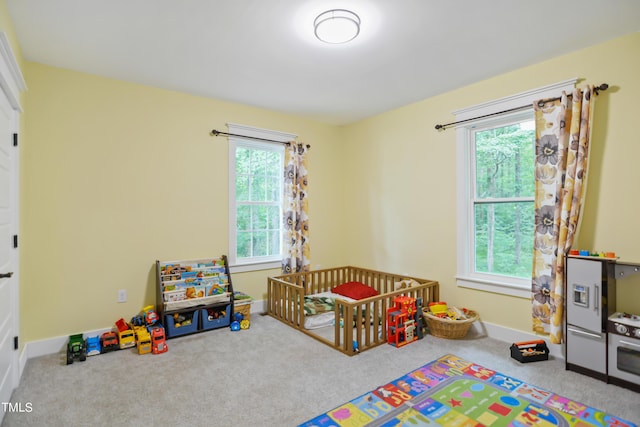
{"type": "Point", "coordinates": [504, 238]}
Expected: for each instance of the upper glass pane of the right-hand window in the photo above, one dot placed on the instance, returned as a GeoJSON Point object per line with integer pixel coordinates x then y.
{"type": "Point", "coordinates": [504, 161]}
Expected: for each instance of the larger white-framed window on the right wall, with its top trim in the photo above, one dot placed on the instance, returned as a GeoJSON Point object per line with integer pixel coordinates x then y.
{"type": "Point", "coordinates": [496, 190]}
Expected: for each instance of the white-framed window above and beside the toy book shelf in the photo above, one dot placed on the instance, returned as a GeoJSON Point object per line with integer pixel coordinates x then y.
{"type": "Point", "coordinates": [255, 198]}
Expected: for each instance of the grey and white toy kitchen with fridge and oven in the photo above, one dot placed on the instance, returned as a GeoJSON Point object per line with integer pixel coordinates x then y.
{"type": "Point", "coordinates": [600, 341]}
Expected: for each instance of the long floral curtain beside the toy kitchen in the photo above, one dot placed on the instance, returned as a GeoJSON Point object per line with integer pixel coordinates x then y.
{"type": "Point", "coordinates": [562, 149]}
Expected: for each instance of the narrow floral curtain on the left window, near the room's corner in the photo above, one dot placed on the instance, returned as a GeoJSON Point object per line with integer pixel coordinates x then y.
{"type": "Point", "coordinates": [296, 211]}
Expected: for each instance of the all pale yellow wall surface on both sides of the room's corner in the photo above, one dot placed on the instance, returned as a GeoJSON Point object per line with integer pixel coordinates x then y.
{"type": "Point", "coordinates": [115, 175]}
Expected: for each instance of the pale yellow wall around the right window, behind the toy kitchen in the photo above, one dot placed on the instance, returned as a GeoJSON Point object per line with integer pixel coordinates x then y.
{"type": "Point", "coordinates": [404, 181]}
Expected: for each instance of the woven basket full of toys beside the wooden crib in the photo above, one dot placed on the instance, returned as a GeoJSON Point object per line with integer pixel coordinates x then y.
{"type": "Point", "coordinates": [448, 322]}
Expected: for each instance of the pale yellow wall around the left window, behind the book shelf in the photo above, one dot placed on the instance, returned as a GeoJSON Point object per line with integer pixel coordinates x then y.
{"type": "Point", "coordinates": [117, 175]}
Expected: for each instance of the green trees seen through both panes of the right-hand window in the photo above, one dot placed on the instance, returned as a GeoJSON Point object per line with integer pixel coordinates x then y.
{"type": "Point", "coordinates": [503, 199]}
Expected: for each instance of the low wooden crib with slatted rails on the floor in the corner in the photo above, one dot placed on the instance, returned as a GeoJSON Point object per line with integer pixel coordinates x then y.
{"type": "Point", "coordinates": [285, 296]}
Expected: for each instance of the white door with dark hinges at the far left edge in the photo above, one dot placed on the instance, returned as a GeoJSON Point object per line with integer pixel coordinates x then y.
{"type": "Point", "coordinates": [9, 369]}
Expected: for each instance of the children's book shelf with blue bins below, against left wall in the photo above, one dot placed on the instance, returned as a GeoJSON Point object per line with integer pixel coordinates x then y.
{"type": "Point", "coordinates": [194, 295]}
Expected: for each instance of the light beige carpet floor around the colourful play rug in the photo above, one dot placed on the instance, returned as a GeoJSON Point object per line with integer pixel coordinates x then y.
{"type": "Point", "coordinates": [268, 375]}
